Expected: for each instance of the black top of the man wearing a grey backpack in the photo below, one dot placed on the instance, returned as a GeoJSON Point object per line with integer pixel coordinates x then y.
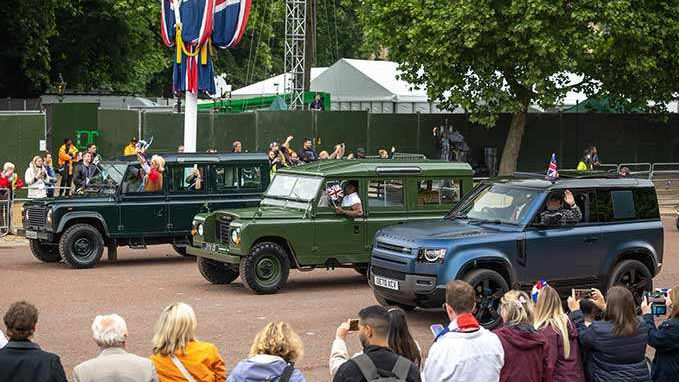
{"type": "Point", "coordinates": [383, 358]}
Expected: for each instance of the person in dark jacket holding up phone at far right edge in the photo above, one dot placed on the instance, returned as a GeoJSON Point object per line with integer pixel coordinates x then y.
{"type": "Point", "coordinates": [664, 338]}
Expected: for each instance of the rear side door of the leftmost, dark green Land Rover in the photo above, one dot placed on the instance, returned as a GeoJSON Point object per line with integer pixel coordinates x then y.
{"type": "Point", "coordinates": [187, 195]}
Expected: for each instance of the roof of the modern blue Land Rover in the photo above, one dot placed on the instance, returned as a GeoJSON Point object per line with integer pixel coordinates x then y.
{"type": "Point", "coordinates": [583, 182]}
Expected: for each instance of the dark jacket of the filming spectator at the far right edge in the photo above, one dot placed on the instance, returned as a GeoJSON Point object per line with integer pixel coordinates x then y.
{"type": "Point", "coordinates": [665, 341]}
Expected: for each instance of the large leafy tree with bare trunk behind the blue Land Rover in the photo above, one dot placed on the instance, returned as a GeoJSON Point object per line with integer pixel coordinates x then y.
{"type": "Point", "coordinates": [491, 57]}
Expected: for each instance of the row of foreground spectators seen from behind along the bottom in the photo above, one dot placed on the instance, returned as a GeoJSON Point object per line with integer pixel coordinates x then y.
{"type": "Point", "coordinates": [601, 339]}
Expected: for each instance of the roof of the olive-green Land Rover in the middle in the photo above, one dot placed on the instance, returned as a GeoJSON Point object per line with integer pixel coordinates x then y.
{"type": "Point", "coordinates": [380, 167]}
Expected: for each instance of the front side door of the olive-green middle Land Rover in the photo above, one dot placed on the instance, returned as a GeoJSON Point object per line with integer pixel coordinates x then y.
{"type": "Point", "coordinates": [338, 236]}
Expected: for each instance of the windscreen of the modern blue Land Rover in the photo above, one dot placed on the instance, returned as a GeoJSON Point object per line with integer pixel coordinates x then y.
{"type": "Point", "coordinates": [498, 203]}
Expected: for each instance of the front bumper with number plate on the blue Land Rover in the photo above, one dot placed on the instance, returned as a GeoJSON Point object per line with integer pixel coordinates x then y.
{"type": "Point", "coordinates": [413, 290]}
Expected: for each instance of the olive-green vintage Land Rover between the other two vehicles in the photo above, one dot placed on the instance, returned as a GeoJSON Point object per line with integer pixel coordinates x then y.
{"type": "Point", "coordinates": [296, 225]}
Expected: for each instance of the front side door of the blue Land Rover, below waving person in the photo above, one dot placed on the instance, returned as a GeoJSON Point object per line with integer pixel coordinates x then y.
{"type": "Point", "coordinates": [566, 256]}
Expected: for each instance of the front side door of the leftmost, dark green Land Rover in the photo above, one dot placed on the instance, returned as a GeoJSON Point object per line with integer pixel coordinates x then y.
{"type": "Point", "coordinates": [142, 214]}
